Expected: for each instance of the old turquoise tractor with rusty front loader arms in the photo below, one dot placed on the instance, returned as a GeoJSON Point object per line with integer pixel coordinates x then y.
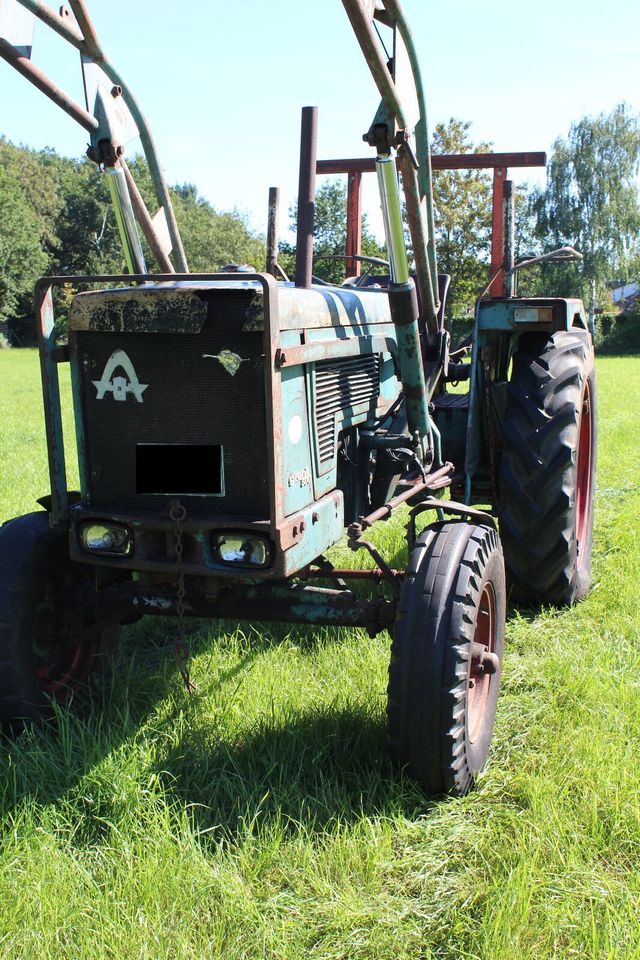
{"type": "Point", "coordinates": [233, 427]}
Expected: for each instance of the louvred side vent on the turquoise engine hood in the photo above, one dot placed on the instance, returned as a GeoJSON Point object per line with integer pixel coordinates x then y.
{"type": "Point", "coordinates": [351, 385]}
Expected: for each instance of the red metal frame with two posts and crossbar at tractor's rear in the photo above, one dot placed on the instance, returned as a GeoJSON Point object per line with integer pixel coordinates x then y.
{"type": "Point", "coordinates": [498, 162]}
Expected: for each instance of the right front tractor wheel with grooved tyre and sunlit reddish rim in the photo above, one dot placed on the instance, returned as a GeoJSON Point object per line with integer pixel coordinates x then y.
{"type": "Point", "coordinates": [446, 653]}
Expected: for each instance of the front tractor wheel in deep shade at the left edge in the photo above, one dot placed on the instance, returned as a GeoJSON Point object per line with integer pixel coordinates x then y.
{"type": "Point", "coordinates": [48, 645]}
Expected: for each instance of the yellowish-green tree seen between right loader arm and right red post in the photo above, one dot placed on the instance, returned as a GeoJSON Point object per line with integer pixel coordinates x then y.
{"type": "Point", "coordinates": [462, 200]}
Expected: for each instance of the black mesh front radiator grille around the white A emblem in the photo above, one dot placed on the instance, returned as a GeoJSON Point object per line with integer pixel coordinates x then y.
{"type": "Point", "coordinates": [189, 399]}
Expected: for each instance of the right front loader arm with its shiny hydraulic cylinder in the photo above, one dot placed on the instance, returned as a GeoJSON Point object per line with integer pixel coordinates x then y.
{"type": "Point", "coordinates": [393, 135]}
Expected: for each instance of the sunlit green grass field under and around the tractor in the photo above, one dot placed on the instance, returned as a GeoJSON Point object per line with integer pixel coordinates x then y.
{"type": "Point", "coordinates": [261, 819]}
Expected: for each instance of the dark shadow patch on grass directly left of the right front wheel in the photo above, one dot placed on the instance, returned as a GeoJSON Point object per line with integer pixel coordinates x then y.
{"type": "Point", "coordinates": [314, 770]}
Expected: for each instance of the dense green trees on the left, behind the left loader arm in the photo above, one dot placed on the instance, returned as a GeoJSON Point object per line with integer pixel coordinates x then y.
{"type": "Point", "coordinates": [56, 218]}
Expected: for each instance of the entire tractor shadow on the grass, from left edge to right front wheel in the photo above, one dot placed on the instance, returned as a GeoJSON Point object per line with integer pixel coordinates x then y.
{"type": "Point", "coordinates": [300, 769]}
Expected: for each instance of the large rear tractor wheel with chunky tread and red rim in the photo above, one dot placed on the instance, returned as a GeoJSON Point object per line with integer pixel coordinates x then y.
{"type": "Point", "coordinates": [547, 470]}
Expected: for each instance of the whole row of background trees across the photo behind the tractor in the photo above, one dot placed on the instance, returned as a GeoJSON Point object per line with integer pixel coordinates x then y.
{"type": "Point", "coordinates": [56, 218]}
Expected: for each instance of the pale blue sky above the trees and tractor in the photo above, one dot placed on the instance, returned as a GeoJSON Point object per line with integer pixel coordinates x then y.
{"type": "Point", "coordinates": [222, 84]}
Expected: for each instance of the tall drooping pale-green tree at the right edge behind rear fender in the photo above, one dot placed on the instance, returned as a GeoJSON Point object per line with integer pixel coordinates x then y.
{"type": "Point", "coordinates": [591, 202]}
